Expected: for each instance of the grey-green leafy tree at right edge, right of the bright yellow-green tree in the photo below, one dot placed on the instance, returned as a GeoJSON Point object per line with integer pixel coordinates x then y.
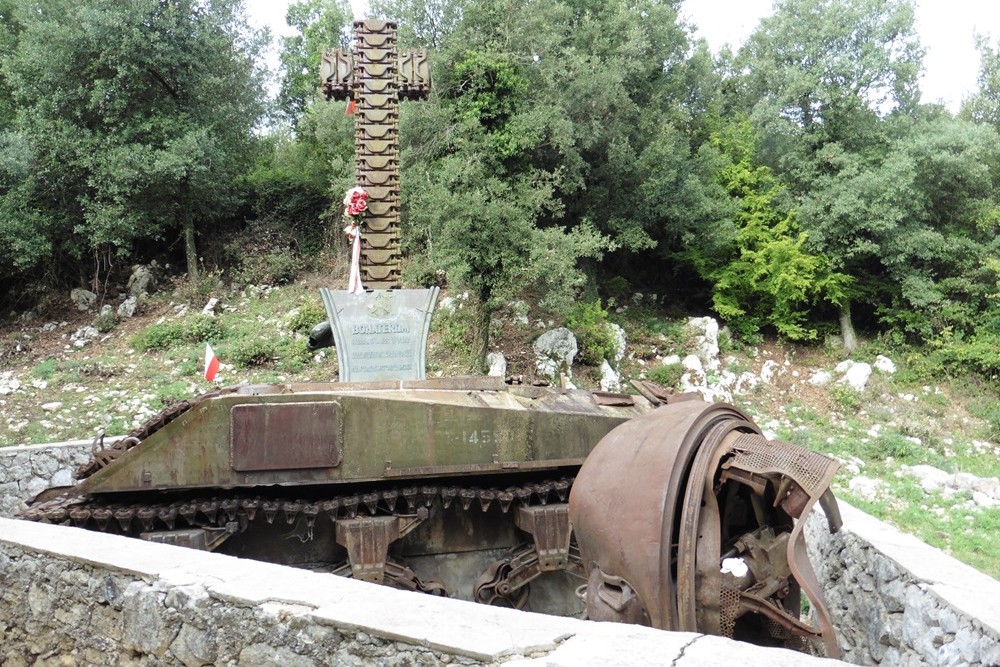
{"type": "Point", "coordinates": [915, 227]}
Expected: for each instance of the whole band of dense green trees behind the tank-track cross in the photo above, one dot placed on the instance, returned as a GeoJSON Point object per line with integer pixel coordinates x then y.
{"type": "Point", "coordinates": [574, 150]}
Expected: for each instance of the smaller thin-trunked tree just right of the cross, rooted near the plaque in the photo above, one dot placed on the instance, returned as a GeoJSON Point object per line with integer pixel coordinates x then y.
{"type": "Point", "coordinates": [473, 205]}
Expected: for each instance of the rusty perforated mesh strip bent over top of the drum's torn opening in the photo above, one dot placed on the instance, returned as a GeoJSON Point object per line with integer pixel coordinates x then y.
{"type": "Point", "coordinates": [755, 453]}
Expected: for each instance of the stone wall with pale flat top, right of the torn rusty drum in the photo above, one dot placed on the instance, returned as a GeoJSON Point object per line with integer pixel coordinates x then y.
{"type": "Point", "coordinates": [896, 601]}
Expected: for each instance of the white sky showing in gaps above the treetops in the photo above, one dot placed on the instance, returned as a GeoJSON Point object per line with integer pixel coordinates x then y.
{"type": "Point", "coordinates": [946, 29]}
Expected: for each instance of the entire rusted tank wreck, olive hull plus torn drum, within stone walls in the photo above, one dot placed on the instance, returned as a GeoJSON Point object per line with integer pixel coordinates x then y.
{"type": "Point", "coordinates": [472, 488]}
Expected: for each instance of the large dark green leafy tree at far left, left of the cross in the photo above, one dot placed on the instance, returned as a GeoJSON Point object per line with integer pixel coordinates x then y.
{"type": "Point", "coordinates": [134, 121]}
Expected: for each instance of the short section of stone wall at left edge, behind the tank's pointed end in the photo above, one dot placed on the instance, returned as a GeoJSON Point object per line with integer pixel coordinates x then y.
{"type": "Point", "coordinates": [26, 471]}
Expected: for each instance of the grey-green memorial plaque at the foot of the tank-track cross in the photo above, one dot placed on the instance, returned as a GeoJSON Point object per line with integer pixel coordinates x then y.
{"type": "Point", "coordinates": [381, 334]}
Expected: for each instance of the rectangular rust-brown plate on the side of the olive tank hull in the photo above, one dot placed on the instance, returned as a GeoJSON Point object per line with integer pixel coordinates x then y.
{"type": "Point", "coordinates": [284, 436]}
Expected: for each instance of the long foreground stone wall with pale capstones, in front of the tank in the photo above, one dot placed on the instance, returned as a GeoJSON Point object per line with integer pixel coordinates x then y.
{"type": "Point", "coordinates": [72, 597]}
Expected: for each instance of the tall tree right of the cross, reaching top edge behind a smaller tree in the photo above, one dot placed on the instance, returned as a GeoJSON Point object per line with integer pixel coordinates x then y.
{"type": "Point", "coordinates": [598, 105]}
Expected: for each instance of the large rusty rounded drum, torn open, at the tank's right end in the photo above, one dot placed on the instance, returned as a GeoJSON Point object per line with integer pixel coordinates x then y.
{"type": "Point", "coordinates": [689, 519]}
